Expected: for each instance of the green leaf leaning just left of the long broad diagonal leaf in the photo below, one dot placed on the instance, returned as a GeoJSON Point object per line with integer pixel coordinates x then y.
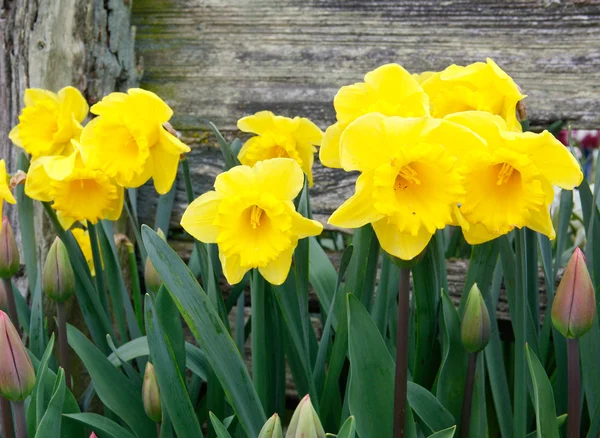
{"type": "Point", "coordinates": [173, 392]}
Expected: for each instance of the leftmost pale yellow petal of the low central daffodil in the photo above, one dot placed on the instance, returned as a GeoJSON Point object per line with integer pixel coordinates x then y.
{"type": "Point", "coordinates": [198, 219]}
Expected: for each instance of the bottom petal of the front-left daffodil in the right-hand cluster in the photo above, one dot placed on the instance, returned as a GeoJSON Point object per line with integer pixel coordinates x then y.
{"type": "Point", "coordinates": [405, 246]}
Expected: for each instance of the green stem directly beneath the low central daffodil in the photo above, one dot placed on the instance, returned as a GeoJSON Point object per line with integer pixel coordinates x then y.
{"type": "Point", "coordinates": [259, 347]}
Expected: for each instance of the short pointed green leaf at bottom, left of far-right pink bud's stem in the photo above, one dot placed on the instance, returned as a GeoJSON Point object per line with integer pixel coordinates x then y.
{"type": "Point", "coordinates": [543, 397]}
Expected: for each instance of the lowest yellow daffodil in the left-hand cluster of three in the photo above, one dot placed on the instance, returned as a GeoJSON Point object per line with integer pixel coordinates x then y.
{"type": "Point", "coordinates": [78, 193]}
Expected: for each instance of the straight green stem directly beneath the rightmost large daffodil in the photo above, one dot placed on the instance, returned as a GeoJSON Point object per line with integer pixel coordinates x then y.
{"type": "Point", "coordinates": [519, 327]}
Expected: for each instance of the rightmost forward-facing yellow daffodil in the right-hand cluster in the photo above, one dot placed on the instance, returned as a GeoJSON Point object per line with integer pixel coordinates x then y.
{"type": "Point", "coordinates": [508, 181]}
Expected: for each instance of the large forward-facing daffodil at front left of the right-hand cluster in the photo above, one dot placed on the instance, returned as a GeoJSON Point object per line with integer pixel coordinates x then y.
{"type": "Point", "coordinates": [409, 182]}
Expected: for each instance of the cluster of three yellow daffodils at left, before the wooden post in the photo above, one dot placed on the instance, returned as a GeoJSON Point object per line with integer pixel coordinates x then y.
{"type": "Point", "coordinates": [83, 171]}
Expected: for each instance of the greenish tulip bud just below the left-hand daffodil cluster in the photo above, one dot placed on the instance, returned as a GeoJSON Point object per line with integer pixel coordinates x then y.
{"type": "Point", "coordinates": [58, 279]}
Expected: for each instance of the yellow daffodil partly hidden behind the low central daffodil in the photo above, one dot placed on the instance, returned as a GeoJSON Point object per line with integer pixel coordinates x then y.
{"type": "Point", "coordinates": [280, 137]}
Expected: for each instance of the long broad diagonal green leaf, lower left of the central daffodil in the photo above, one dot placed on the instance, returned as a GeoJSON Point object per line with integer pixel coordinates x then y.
{"type": "Point", "coordinates": [209, 330]}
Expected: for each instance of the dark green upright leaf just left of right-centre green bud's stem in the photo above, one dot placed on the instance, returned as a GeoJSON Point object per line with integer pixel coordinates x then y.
{"type": "Point", "coordinates": [453, 370]}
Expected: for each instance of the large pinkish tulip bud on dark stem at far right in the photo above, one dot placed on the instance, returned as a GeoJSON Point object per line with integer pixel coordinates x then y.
{"type": "Point", "coordinates": [574, 306]}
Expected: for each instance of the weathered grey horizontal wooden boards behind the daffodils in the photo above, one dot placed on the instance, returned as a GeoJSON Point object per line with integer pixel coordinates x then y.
{"type": "Point", "coordinates": [223, 59]}
